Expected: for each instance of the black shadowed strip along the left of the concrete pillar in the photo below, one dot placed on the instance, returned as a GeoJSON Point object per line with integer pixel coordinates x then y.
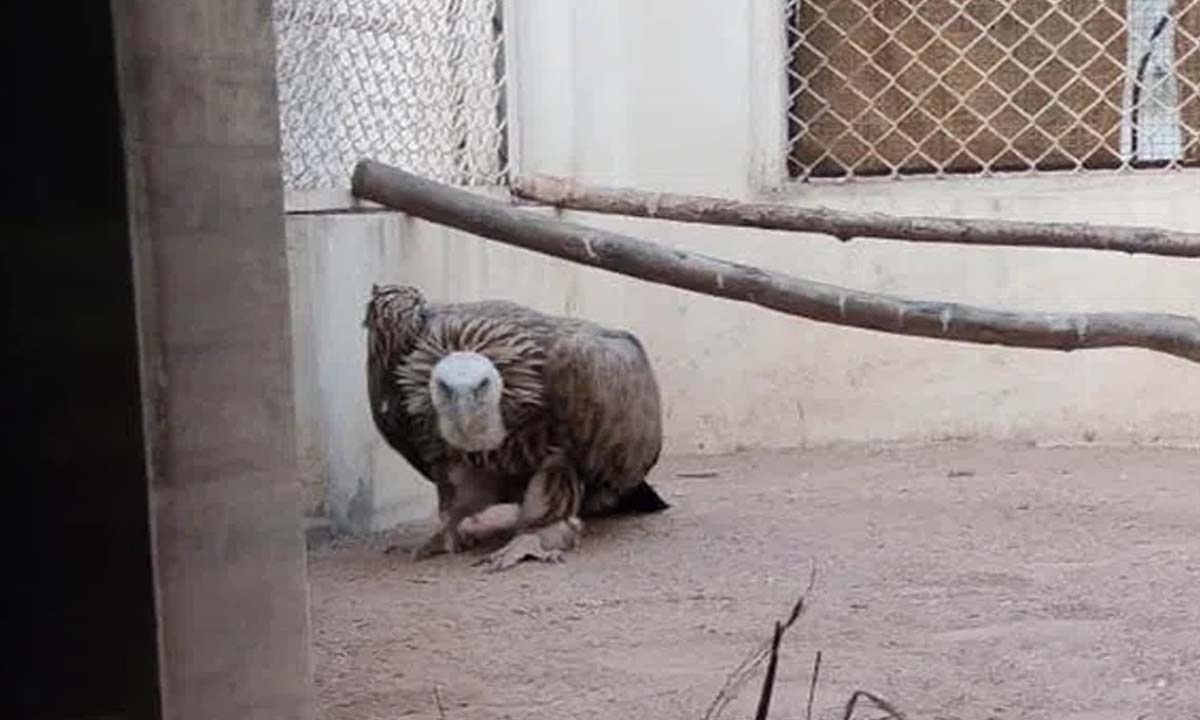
{"type": "Point", "coordinates": [80, 638]}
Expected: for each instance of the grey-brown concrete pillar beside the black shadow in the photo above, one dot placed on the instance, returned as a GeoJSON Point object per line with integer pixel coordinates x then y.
{"type": "Point", "coordinates": [197, 81]}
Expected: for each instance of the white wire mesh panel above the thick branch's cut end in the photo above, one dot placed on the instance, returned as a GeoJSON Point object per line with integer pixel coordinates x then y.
{"type": "Point", "coordinates": [413, 83]}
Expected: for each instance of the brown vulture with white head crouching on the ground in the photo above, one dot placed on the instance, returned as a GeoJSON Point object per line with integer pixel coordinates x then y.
{"type": "Point", "coordinates": [525, 423]}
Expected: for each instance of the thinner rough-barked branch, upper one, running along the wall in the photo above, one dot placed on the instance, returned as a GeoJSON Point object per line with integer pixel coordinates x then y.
{"type": "Point", "coordinates": [848, 226]}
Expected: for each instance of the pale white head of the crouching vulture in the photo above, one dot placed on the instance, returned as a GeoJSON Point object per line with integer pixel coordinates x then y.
{"type": "Point", "coordinates": [466, 389]}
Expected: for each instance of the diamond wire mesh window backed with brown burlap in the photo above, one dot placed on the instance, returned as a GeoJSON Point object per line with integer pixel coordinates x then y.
{"type": "Point", "coordinates": [938, 87]}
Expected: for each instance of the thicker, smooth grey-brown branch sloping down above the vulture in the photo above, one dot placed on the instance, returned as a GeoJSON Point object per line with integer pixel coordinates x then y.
{"type": "Point", "coordinates": [393, 188]}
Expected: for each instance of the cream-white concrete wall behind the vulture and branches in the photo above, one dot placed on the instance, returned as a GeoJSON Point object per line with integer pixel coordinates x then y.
{"type": "Point", "coordinates": [671, 97]}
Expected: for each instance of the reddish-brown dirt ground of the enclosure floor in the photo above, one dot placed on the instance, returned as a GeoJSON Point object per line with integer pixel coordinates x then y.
{"type": "Point", "coordinates": [957, 581]}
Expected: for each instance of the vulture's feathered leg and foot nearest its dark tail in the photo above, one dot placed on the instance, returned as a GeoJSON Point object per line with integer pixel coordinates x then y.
{"type": "Point", "coordinates": [548, 523]}
